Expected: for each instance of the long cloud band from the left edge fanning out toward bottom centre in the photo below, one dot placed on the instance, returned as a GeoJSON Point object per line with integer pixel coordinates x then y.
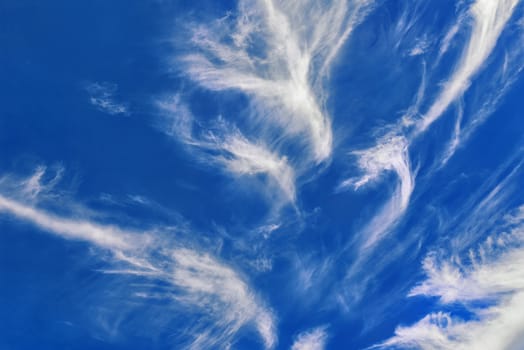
{"type": "Point", "coordinates": [197, 282]}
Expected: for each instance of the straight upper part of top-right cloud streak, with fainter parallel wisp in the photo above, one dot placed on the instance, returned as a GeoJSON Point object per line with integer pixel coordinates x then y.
{"type": "Point", "coordinates": [489, 21]}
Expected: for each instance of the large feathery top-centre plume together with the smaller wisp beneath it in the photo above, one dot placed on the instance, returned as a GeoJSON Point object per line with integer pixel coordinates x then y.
{"type": "Point", "coordinates": [266, 51]}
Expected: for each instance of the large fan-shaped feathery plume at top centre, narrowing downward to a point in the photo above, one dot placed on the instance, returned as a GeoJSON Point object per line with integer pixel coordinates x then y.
{"type": "Point", "coordinates": [275, 54]}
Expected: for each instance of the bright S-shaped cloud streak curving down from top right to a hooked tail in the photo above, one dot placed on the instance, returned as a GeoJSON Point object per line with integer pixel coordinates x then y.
{"type": "Point", "coordinates": [489, 19]}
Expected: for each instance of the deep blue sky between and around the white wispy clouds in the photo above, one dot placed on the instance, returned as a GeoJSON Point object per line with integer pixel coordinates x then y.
{"type": "Point", "coordinates": [128, 172]}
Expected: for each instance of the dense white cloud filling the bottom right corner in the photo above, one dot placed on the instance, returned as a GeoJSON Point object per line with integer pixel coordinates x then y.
{"type": "Point", "coordinates": [491, 275]}
